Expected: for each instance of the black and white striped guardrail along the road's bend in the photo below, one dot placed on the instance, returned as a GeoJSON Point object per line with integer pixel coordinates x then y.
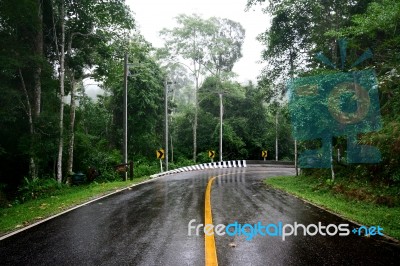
{"type": "Point", "coordinates": [204, 166]}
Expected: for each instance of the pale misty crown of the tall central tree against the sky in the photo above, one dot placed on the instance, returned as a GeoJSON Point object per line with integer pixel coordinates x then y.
{"type": "Point", "coordinates": [213, 45]}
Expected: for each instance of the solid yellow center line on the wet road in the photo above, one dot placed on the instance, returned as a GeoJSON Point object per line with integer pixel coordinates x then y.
{"type": "Point", "coordinates": [210, 249]}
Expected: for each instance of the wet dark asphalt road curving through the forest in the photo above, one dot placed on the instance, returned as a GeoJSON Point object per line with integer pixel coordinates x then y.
{"type": "Point", "coordinates": [148, 225]}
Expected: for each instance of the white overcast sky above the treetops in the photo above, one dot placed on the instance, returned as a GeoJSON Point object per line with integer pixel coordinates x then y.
{"type": "Point", "coordinates": [153, 15]}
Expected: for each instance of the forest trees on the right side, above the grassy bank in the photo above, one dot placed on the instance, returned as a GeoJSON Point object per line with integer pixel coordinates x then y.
{"type": "Point", "coordinates": [302, 31]}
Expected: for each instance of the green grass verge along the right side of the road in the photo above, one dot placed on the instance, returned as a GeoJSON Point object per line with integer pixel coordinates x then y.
{"type": "Point", "coordinates": [342, 198]}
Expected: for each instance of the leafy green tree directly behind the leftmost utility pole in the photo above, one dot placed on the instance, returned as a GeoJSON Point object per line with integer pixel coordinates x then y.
{"type": "Point", "coordinates": [145, 98]}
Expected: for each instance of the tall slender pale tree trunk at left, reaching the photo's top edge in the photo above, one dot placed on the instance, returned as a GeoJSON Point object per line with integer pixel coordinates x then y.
{"type": "Point", "coordinates": [62, 78]}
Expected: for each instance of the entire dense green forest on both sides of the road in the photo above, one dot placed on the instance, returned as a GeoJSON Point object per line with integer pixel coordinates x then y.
{"type": "Point", "coordinates": [50, 127]}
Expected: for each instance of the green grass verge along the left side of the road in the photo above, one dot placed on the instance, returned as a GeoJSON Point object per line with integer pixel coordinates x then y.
{"type": "Point", "coordinates": [20, 215]}
